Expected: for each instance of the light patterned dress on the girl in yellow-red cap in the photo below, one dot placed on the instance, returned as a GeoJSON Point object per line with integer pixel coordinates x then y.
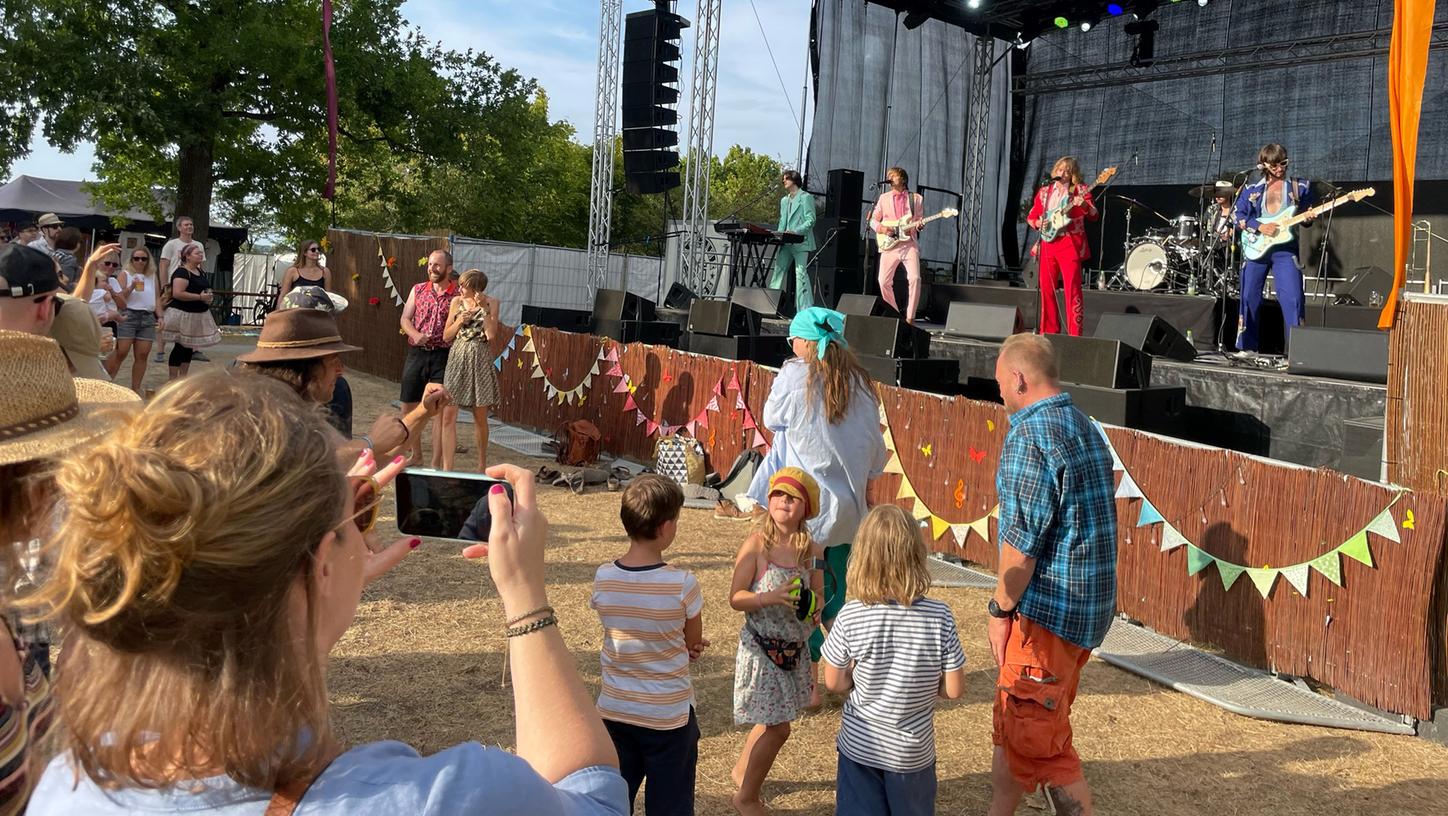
{"type": "Point", "coordinates": [765, 694]}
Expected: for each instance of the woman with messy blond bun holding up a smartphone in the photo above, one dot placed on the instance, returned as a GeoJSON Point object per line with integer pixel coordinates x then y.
{"type": "Point", "coordinates": [203, 601]}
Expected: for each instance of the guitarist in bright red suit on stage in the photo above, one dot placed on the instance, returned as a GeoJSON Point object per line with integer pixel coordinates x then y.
{"type": "Point", "coordinates": [1061, 258]}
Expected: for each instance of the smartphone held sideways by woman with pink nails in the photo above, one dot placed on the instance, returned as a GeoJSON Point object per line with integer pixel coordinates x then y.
{"type": "Point", "coordinates": [444, 504]}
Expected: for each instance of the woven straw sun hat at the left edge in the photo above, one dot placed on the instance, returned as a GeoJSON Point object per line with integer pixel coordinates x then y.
{"type": "Point", "coordinates": [46, 412]}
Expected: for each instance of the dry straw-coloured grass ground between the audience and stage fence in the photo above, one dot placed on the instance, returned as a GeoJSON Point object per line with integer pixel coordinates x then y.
{"type": "Point", "coordinates": [424, 663]}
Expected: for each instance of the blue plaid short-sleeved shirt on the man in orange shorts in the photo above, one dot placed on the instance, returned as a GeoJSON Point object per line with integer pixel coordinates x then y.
{"type": "Point", "coordinates": [1058, 506]}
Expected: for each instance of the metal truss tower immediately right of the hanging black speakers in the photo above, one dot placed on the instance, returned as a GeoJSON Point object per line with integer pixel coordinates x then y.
{"type": "Point", "coordinates": [694, 244]}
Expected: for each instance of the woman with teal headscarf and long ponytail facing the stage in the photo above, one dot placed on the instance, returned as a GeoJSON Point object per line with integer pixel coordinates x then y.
{"type": "Point", "coordinates": [826, 422]}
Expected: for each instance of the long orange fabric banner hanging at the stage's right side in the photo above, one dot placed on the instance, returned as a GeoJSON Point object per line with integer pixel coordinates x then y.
{"type": "Point", "coordinates": [1407, 67]}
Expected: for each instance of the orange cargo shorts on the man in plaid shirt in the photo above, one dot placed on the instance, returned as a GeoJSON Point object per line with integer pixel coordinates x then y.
{"type": "Point", "coordinates": [1033, 708]}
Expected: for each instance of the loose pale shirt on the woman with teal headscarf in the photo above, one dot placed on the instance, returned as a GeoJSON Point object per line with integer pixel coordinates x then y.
{"type": "Point", "coordinates": [842, 458]}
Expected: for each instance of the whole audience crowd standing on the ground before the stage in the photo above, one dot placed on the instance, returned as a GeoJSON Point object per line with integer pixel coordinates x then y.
{"type": "Point", "coordinates": [199, 555]}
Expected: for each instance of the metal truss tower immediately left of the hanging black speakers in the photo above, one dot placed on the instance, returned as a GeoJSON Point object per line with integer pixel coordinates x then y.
{"type": "Point", "coordinates": [606, 132]}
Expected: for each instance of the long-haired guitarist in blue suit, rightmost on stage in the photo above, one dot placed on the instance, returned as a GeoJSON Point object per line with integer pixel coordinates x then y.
{"type": "Point", "coordinates": [1265, 200]}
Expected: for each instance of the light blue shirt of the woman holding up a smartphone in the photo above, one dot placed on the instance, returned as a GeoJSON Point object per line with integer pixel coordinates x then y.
{"type": "Point", "coordinates": [380, 778]}
